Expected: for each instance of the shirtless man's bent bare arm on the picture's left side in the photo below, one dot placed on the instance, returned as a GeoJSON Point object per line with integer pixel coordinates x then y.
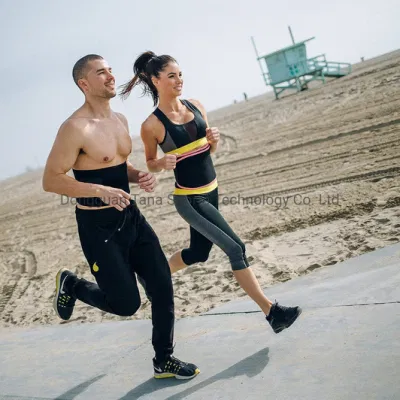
{"type": "Point", "coordinates": [61, 159]}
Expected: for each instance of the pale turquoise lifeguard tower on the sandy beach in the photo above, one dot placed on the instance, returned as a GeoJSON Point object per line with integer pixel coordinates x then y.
{"type": "Point", "coordinates": [289, 68]}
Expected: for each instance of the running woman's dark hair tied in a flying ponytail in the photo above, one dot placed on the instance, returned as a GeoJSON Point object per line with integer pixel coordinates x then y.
{"type": "Point", "coordinates": [146, 66]}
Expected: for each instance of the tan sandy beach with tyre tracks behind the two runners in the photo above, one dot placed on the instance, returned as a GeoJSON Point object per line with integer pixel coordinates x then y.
{"type": "Point", "coordinates": [306, 182]}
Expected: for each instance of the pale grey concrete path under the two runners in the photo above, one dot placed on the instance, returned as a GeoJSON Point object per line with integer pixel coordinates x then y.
{"type": "Point", "coordinates": [346, 345]}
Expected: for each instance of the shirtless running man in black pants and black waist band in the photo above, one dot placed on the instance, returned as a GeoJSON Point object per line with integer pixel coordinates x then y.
{"type": "Point", "coordinates": [116, 239]}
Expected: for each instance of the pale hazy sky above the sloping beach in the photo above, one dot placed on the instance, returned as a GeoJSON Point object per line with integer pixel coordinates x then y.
{"type": "Point", "coordinates": [41, 40]}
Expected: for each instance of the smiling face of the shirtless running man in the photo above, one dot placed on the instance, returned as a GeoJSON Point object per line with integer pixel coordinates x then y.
{"type": "Point", "coordinates": [99, 80]}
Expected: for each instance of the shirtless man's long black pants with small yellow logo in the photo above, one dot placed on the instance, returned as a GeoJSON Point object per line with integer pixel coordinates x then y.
{"type": "Point", "coordinates": [118, 244]}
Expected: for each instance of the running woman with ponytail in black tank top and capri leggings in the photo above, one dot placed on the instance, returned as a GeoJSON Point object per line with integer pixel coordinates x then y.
{"type": "Point", "coordinates": [180, 129]}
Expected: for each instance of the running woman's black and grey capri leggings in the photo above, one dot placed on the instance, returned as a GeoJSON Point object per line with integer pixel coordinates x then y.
{"type": "Point", "coordinates": [208, 227]}
